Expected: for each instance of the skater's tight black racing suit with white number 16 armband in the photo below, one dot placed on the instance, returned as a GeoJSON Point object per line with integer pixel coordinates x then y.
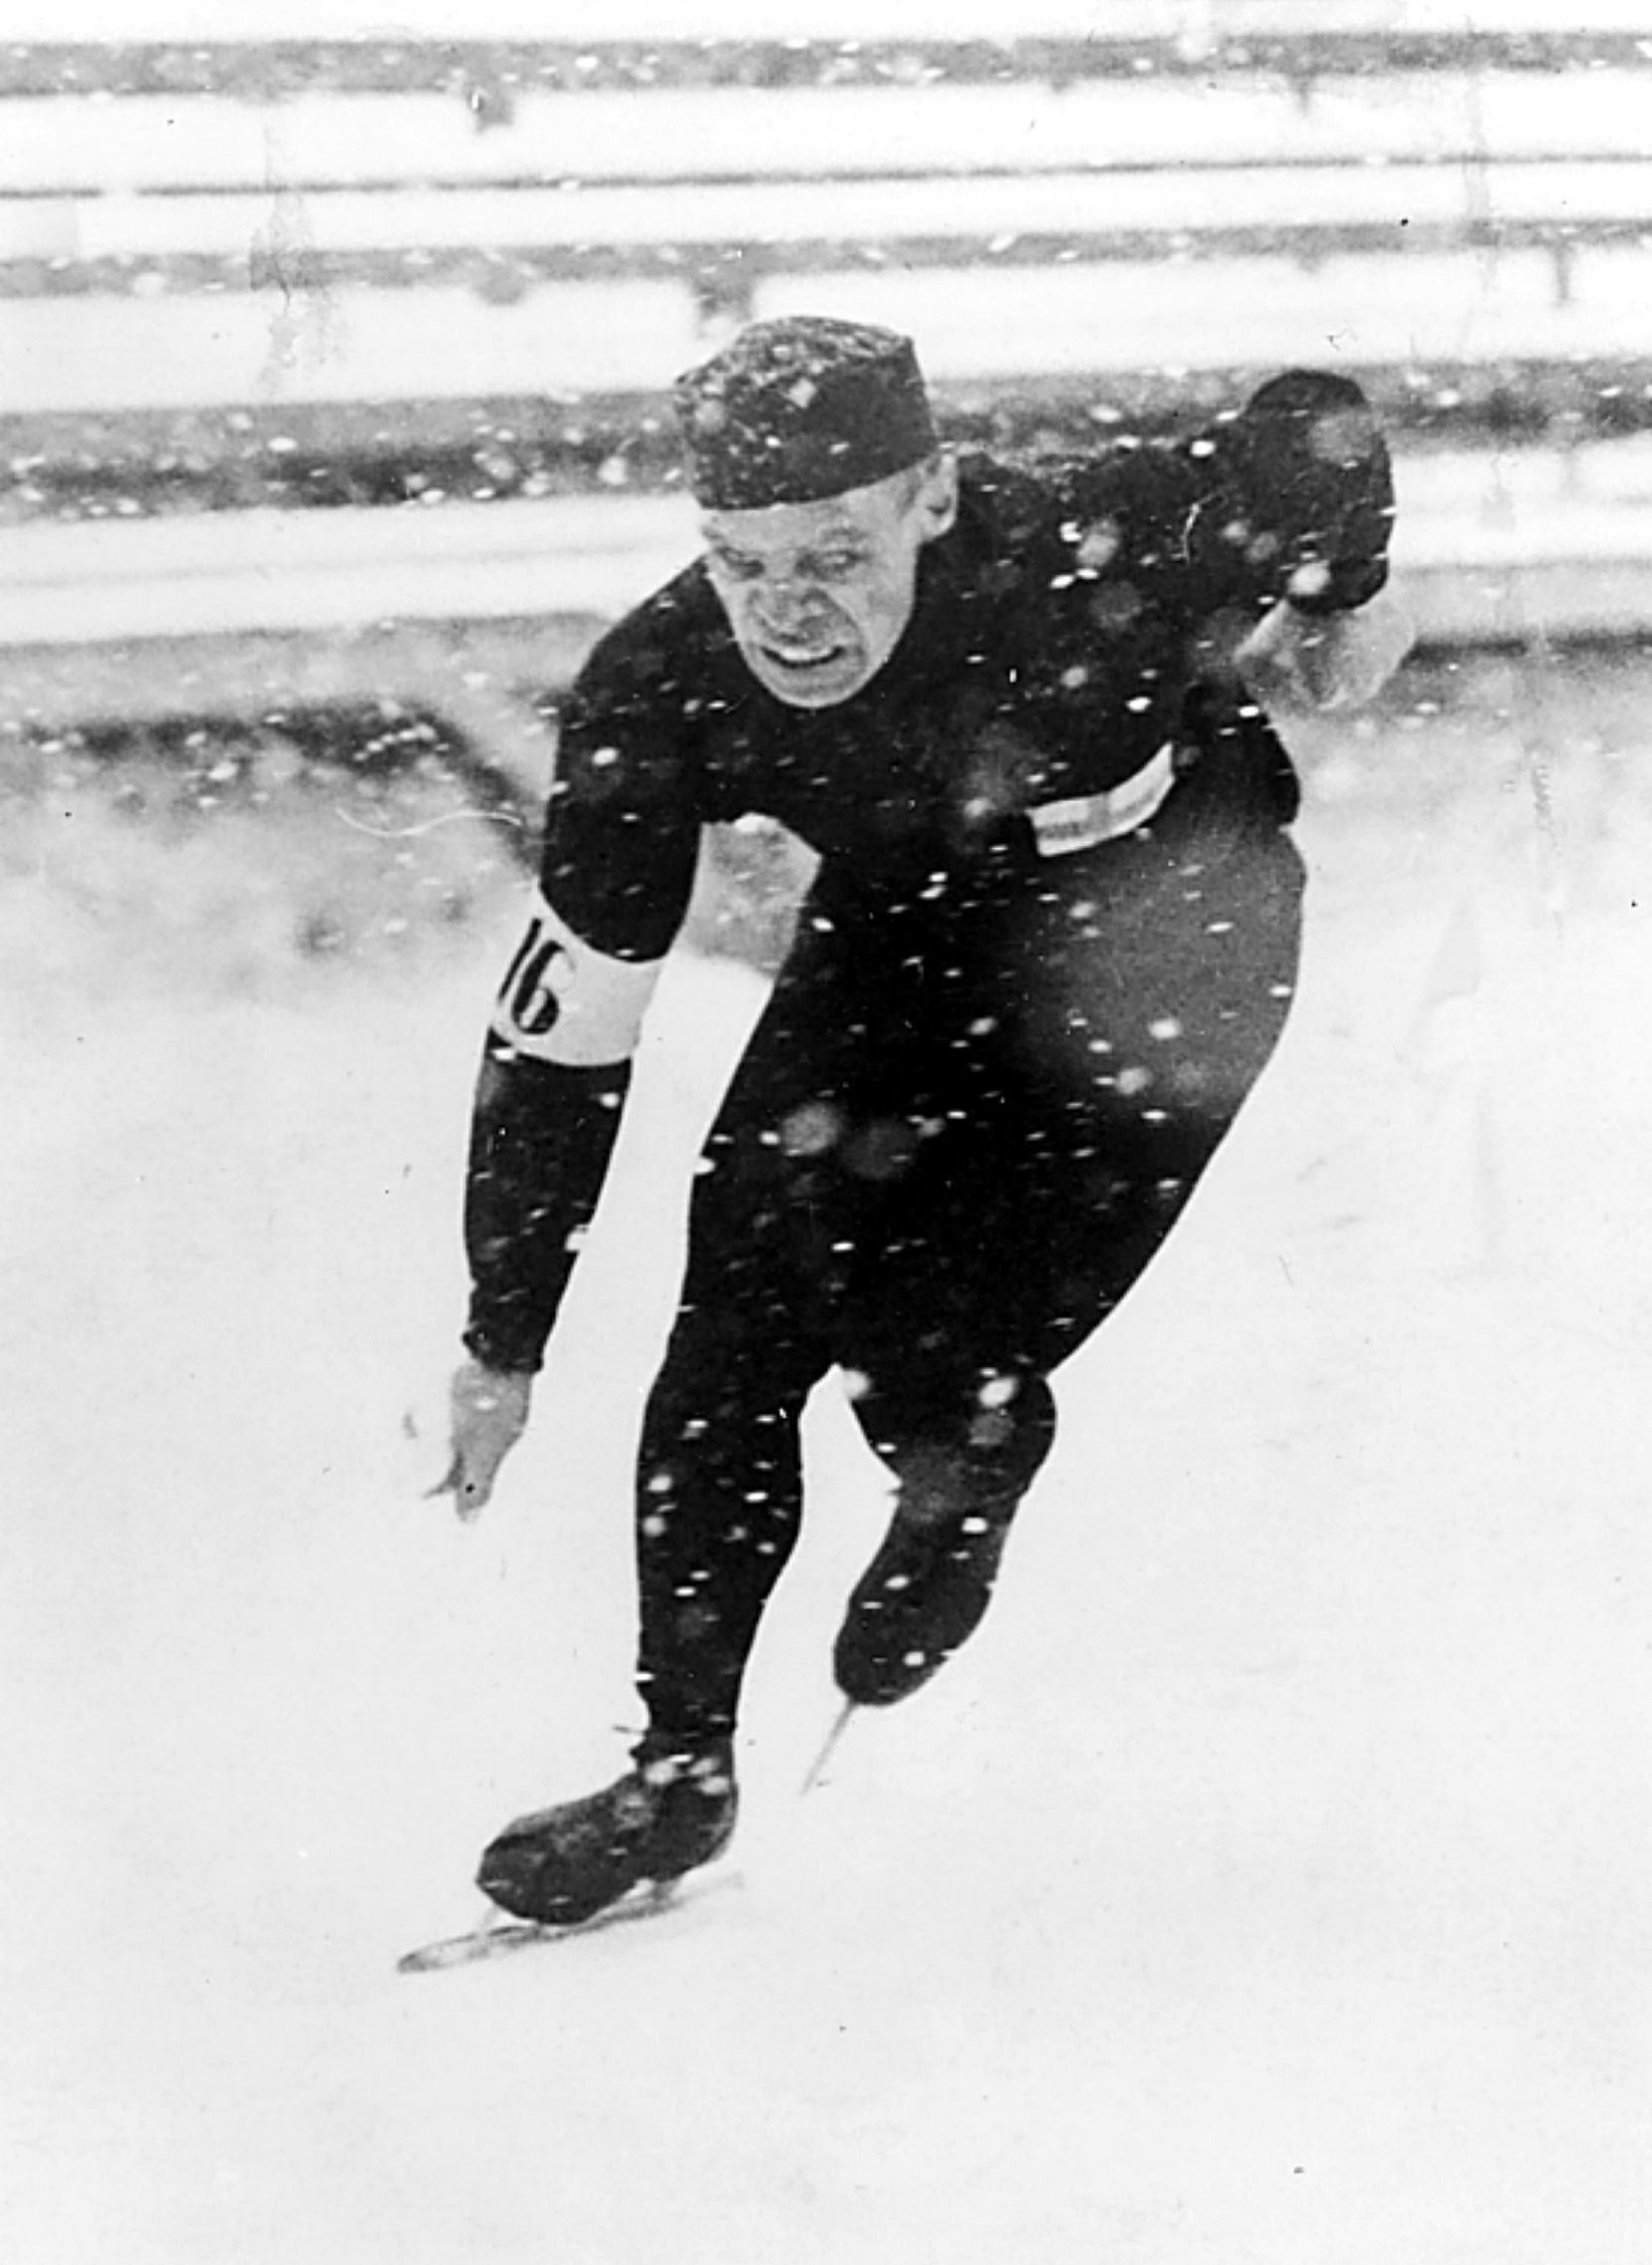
{"type": "Point", "coordinates": [1048, 952]}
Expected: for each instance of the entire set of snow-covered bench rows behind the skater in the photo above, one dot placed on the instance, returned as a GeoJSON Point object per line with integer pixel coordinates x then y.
{"type": "Point", "coordinates": [454, 275]}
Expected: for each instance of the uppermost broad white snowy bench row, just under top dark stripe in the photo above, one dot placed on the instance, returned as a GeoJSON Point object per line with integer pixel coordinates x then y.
{"type": "Point", "coordinates": [1467, 121]}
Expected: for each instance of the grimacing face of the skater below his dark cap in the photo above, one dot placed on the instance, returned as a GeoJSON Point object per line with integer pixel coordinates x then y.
{"type": "Point", "coordinates": [819, 595]}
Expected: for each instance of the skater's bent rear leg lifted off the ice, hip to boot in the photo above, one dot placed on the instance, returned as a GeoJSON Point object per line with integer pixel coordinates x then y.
{"type": "Point", "coordinates": [1093, 1118]}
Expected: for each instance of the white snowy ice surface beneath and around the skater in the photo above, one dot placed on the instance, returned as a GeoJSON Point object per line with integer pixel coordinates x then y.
{"type": "Point", "coordinates": [1263, 1888]}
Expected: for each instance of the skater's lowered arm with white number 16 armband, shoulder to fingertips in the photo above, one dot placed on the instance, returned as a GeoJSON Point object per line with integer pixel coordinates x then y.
{"type": "Point", "coordinates": [618, 871]}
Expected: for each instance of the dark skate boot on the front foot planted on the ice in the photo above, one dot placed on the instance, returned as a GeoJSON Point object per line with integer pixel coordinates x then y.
{"type": "Point", "coordinates": [667, 1815]}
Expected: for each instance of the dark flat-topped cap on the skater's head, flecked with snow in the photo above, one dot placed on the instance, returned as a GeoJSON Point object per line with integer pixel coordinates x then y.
{"type": "Point", "coordinates": [801, 409]}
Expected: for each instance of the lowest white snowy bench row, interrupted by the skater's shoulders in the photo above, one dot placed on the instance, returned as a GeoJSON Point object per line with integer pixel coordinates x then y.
{"type": "Point", "coordinates": [484, 613]}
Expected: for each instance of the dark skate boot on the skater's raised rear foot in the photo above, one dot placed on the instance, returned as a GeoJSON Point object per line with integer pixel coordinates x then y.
{"type": "Point", "coordinates": [919, 1600]}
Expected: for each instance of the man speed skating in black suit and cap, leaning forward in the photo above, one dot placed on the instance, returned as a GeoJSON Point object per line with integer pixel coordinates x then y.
{"type": "Point", "coordinates": [1050, 948]}
